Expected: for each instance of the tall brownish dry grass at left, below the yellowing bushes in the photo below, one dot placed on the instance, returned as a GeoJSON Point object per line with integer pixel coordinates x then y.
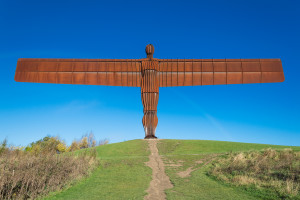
{"type": "Point", "coordinates": [25, 175]}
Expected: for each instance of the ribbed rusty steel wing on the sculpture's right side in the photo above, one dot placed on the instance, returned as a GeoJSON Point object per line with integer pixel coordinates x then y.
{"type": "Point", "coordinates": [189, 72]}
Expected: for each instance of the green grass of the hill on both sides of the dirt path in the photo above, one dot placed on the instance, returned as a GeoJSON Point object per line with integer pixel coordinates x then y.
{"type": "Point", "coordinates": [123, 174]}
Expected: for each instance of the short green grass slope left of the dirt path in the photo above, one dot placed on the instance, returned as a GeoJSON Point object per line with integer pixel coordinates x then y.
{"type": "Point", "coordinates": [122, 174]}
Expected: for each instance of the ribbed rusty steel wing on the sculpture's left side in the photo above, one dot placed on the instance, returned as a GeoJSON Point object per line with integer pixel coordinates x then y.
{"type": "Point", "coordinates": [113, 72]}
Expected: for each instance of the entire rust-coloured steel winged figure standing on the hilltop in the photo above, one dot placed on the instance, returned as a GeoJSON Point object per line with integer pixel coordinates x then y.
{"type": "Point", "coordinates": [149, 74]}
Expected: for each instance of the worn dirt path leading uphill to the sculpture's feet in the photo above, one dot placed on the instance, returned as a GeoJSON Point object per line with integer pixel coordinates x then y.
{"type": "Point", "coordinates": [160, 181]}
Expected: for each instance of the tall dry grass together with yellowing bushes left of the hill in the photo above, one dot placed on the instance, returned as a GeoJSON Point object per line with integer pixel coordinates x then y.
{"type": "Point", "coordinates": [43, 166]}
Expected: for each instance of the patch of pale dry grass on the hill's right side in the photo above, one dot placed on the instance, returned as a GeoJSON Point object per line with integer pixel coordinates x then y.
{"type": "Point", "coordinates": [274, 170]}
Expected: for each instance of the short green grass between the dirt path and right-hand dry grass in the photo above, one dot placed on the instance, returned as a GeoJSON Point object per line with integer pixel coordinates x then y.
{"type": "Point", "coordinates": [199, 185]}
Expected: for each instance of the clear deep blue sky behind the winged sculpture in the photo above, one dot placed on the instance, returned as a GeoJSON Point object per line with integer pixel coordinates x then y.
{"type": "Point", "coordinates": [259, 113]}
